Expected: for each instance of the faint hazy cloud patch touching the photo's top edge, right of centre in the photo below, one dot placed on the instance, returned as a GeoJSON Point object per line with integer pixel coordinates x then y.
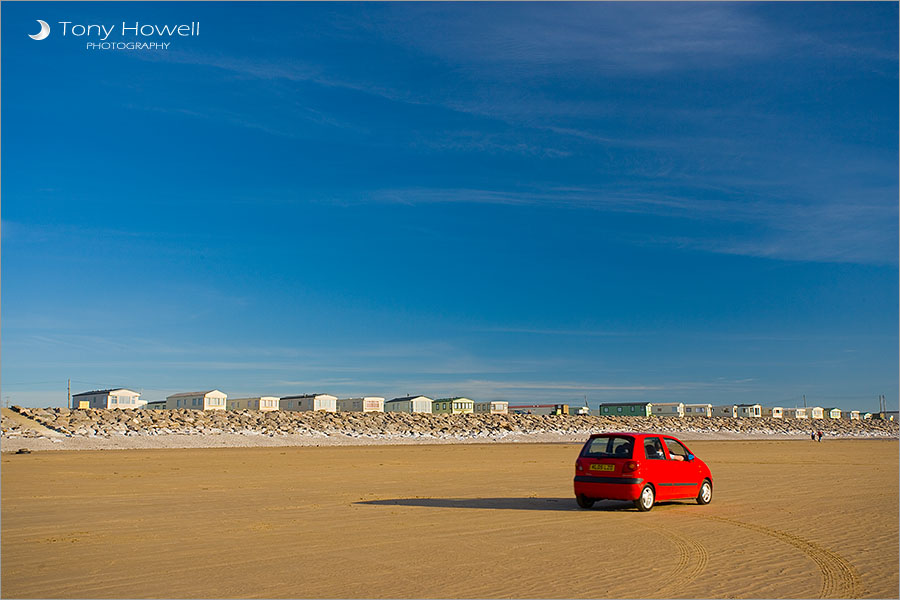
{"type": "Point", "coordinates": [605, 37]}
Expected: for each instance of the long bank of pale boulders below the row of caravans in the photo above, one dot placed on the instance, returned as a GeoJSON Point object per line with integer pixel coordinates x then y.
{"type": "Point", "coordinates": [108, 423]}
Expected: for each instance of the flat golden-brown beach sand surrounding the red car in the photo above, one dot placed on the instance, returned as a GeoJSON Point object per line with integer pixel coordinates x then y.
{"type": "Point", "coordinates": [789, 519]}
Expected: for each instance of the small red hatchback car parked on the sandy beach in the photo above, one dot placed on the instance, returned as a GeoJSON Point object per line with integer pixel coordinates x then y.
{"type": "Point", "coordinates": [640, 467]}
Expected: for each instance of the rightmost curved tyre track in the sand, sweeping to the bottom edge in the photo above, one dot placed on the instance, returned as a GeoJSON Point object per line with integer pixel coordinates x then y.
{"type": "Point", "coordinates": [839, 577]}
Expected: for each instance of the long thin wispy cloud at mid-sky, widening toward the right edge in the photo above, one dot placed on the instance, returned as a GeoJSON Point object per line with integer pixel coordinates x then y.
{"type": "Point", "coordinates": [835, 229]}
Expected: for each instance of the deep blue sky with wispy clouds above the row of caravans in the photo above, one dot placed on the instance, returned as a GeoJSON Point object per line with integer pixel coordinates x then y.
{"type": "Point", "coordinates": [530, 202]}
